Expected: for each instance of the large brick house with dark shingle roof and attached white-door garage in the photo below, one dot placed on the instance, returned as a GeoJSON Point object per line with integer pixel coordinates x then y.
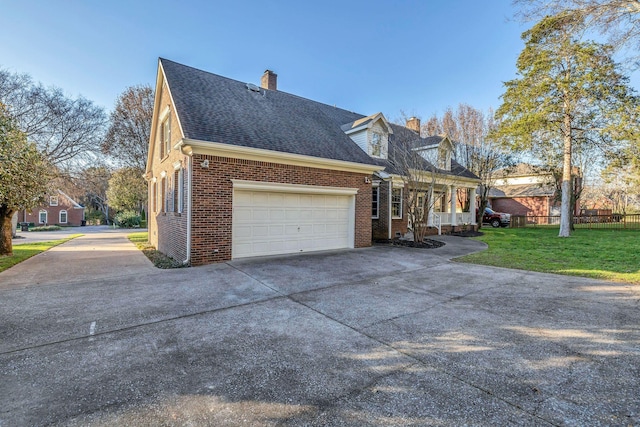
{"type": "Point", "coordinates": [236, 170]}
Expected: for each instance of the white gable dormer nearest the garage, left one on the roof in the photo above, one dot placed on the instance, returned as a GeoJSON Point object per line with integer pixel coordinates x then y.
{"type": "Point", "coordinates": [371, 133]}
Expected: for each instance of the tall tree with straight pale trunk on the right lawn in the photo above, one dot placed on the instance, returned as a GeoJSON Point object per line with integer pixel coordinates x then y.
{"type": "Point", "coordinates": [568, 92]}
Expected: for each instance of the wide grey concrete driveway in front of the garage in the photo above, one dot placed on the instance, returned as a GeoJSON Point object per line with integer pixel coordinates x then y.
{"type": "Point", "coordinates": [92, 334]}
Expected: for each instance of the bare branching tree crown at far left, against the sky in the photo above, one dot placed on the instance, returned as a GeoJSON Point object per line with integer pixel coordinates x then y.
{"type": "Point", "coordinates": [64, 129]}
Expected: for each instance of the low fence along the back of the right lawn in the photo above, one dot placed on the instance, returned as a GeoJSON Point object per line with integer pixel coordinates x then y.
{"type": "Point", "coordinates": [611, 221]}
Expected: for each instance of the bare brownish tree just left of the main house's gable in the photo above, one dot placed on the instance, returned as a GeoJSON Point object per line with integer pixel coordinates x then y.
{"type": "Point", "coordinates": [127, 138]}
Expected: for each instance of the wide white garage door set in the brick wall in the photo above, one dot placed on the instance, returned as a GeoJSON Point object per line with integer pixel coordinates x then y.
{"type": "Point", "coordinates": [272, 219]}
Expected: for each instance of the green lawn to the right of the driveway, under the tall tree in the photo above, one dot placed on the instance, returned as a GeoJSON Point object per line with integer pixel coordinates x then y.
{"type": "Point", "coordinates": [601, 254]}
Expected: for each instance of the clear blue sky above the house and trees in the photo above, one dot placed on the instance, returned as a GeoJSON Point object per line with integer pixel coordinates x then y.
{"type": "Point", "coordinates": [364, 56]}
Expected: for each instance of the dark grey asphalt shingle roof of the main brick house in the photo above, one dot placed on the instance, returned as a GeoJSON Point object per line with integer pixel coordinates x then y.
{"type": "Point", "coordinates": [218, 109]}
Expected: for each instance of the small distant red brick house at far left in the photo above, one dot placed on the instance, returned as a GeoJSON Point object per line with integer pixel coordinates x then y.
{"type": "Point", "coordinates": [58, 209]}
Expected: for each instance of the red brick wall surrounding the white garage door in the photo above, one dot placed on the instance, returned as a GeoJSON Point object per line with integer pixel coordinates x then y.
{"type": "Point", "coordinates": [213, 200]}
